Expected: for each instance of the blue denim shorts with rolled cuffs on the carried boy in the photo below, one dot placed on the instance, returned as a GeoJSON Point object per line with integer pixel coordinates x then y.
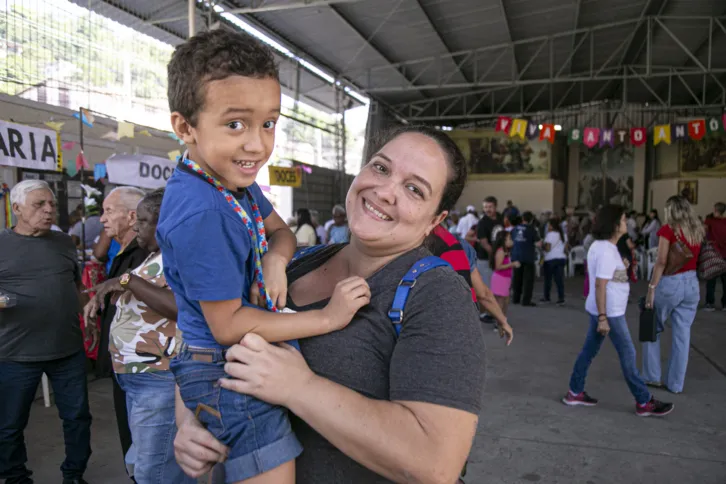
{"type": "Point", "coordinates": [259, 435]}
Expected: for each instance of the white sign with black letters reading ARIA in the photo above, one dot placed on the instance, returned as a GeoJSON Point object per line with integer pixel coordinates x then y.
{"type": "Point", "coordinates": [28, 147]}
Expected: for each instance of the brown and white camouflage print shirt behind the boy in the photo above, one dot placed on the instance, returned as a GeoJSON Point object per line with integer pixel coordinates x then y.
{"type": "Point", "coordinates": [141, 339]}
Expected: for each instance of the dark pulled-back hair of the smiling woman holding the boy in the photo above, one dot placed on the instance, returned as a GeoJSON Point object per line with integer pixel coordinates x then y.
{"type": "Point", "coordinates": [454, 157]}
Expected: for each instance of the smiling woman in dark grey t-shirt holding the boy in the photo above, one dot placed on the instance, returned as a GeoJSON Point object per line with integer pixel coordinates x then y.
{"type": "Point", "coordinates": [371, 407]}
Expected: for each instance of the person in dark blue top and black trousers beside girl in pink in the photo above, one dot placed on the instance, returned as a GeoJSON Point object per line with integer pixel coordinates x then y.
{"type": "Point", "coordinates": [526, 239]}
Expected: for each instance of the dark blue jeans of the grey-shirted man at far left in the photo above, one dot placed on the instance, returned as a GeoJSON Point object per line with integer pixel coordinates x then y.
{"type": "Point", "coordinates": [19, 383]}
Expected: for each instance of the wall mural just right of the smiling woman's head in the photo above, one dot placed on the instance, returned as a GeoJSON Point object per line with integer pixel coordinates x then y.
{"type": "Point", "coordinates": [491, 153]}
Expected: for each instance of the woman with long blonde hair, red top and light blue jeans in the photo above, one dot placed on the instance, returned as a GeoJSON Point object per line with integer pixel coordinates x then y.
{"type": "Point", "coordinates": [674, 292]}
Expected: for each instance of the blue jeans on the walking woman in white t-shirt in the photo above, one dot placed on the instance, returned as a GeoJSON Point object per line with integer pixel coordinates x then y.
{"type": "Point", "coordinates": [620, 336]}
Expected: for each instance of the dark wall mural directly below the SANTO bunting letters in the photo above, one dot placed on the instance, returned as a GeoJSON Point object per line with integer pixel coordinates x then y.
{"type": "Point", "coordinates": [606, 176]}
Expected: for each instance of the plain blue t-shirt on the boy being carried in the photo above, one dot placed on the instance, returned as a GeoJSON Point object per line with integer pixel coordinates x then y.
{"type": "Point", "coordinates": [206, 249]}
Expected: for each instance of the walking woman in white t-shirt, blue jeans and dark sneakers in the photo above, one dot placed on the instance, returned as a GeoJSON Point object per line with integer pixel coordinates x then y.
{"type": "Point", "coordinates": [606, 306]}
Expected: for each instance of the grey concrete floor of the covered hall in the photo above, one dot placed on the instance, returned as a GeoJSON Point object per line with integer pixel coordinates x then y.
{"type": "Point", "coordinates": [525, 434]}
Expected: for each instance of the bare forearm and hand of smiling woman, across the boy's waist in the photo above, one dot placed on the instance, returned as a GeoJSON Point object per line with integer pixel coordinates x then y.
{"type": "Point", "coordinates": [402, 441]}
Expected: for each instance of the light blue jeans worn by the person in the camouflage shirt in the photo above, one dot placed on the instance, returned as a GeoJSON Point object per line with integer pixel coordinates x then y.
{"type": "Point", "coordinates": [150, 406]}
